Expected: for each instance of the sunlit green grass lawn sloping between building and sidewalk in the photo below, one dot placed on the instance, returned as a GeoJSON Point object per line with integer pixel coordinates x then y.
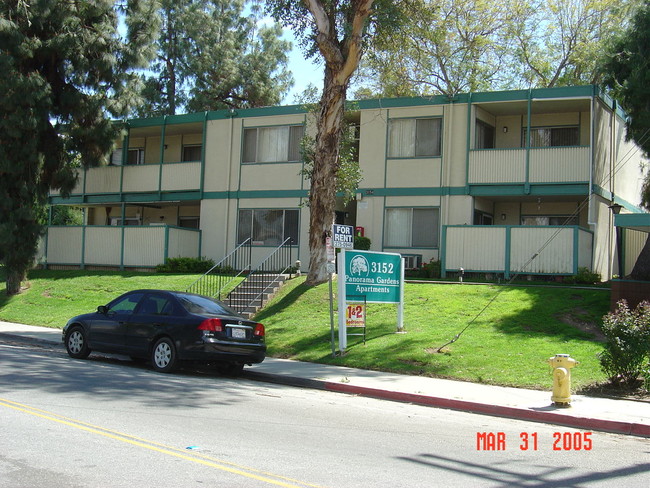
{"type": "Point", "coordinates": [508, 344]}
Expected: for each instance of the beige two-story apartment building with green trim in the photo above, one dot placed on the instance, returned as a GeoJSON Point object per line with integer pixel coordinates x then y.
{"type": "Point", "coordinates": [503, 182]}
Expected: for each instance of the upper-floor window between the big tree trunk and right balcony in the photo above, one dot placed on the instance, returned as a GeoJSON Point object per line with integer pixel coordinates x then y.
{"type": "Point", "coordinates": [414, 138]}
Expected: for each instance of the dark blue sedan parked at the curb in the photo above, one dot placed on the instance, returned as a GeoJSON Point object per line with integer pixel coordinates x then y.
{"type": "Point", "coordinates": [167, 327]}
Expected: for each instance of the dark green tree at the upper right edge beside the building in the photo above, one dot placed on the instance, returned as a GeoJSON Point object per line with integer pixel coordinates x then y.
{"type": "Point", "coordinates": [627, 74]}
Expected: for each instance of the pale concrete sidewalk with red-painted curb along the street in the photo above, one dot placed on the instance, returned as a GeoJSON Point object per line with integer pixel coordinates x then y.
{"type": "Point", "coordinates": [588, 413]}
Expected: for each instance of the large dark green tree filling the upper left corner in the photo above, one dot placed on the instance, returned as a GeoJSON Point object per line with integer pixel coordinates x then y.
{"type": "Point", "coordinates": [65, 70]}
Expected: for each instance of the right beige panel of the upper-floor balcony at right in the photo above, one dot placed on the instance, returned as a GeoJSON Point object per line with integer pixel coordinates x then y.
{"type": "Point", "coordinates": [559, 164]}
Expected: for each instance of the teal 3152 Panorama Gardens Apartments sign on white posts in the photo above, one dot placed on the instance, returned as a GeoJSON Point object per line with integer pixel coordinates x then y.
{"type": "Point", "coordinates": [378, 276]}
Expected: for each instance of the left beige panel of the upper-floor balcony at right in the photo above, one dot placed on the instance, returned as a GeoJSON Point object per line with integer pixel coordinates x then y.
{"type": "Point", "coordinates": [497, 166]}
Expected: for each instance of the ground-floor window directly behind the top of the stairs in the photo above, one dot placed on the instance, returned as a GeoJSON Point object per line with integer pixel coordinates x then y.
{"type": "Point", "coordinates": [268, 227]}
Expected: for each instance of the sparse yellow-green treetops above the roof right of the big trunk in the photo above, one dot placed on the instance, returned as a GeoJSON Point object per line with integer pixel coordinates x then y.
{"type": "Point", "coordinates": [453, 46]}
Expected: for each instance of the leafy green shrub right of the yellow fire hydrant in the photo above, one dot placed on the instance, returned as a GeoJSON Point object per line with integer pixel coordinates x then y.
{"type": "Point", "coordinates": [627, 353]}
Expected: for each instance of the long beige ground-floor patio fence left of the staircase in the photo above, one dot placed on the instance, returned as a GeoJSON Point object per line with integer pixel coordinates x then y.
{"type": "Point", "coordinates": [118, 246]}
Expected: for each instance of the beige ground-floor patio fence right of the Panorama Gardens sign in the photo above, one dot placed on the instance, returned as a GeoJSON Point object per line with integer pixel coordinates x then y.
{"type": "Point", "coordinates": [508, 250]}
